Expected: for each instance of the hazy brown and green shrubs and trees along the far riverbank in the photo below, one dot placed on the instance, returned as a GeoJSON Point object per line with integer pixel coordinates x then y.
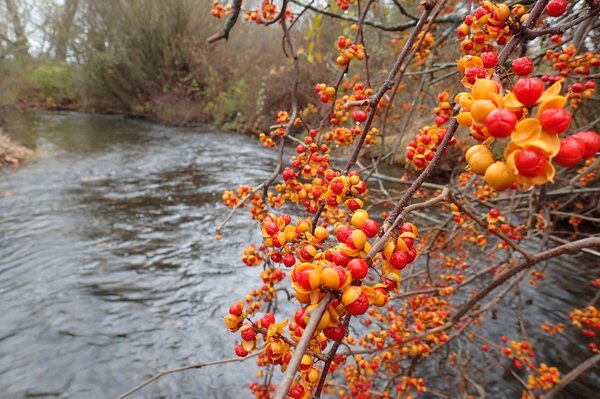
{"type": "Point", "coordinates": [140, 57]}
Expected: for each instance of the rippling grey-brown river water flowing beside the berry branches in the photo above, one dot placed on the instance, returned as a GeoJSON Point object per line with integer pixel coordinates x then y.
{"type": "Point", "coordinates": [109, 270]}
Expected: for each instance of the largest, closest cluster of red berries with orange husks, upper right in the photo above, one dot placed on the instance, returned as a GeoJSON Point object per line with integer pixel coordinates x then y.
{"type": "Point", "coordinates": [534, 142]}
